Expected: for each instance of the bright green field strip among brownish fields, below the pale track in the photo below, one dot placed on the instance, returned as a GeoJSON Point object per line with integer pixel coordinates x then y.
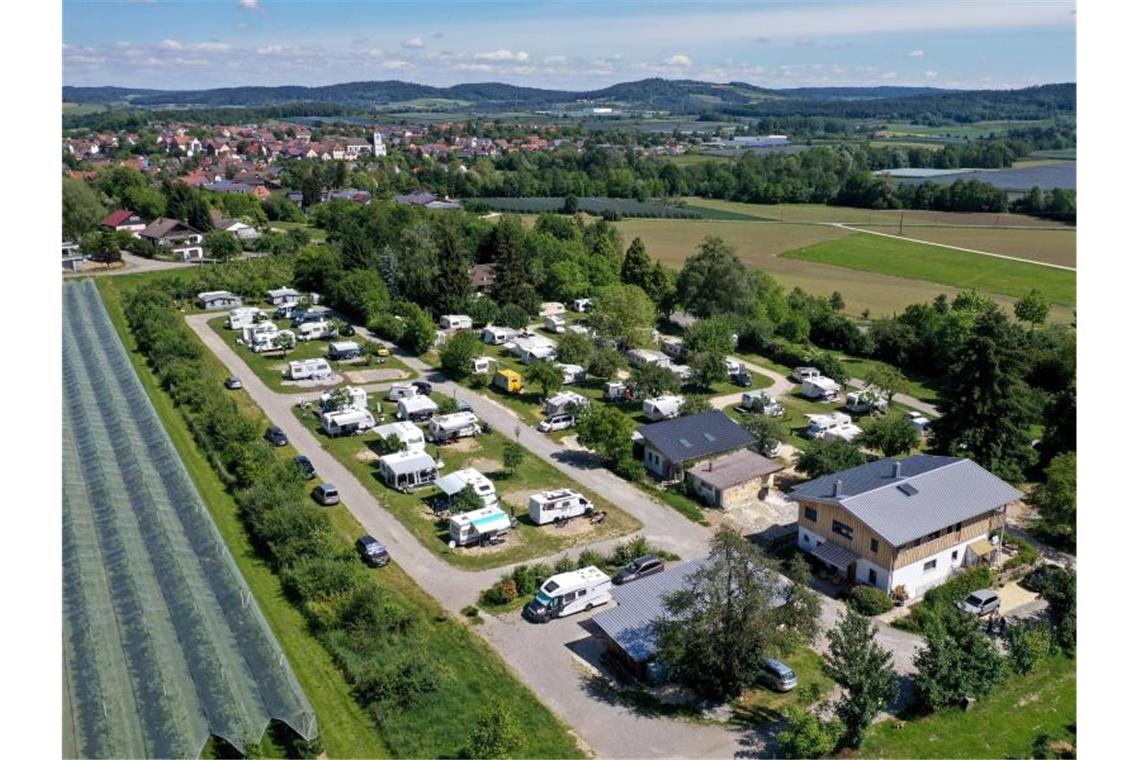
{"type": "Point", "coordinates": [914, 260]}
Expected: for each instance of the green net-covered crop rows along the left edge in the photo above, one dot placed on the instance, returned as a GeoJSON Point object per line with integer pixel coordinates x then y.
{"type": "Point", "coordinates": [186, 618]}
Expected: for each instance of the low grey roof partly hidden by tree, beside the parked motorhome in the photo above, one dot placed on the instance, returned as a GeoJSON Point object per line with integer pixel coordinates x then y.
{"type": "Point", "coordinates": [641, 603]}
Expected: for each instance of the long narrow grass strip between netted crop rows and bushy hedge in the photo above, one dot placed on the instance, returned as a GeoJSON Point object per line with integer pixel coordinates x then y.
{"type": "Point", "coordinates": [347, 731]}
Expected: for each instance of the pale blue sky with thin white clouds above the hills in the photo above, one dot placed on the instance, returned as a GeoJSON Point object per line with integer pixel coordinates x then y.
{"type": "Point", "coordinates": [576, 45]}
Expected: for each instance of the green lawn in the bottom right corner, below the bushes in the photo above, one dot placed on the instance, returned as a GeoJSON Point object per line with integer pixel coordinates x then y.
{"type": "Point", "coordinates": [1005, 724]}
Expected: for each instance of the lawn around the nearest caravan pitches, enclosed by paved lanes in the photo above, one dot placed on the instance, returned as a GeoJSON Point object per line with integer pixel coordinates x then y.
{"type": "Point", "coordinates": [484, 453]}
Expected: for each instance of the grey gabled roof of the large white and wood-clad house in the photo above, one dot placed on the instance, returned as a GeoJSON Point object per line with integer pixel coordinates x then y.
{"type": "Point", "coordinates": [931, 494]}
